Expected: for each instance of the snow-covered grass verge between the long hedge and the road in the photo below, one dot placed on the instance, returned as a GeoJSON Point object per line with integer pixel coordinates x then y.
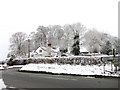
{"type": "Point", "coordinates": [72, 69]}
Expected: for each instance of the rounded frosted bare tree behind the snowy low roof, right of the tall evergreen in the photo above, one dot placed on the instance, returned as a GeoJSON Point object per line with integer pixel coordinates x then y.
{"type": "Point", "coordinates": [93, 40]}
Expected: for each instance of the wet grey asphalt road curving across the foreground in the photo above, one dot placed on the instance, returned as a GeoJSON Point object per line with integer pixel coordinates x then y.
{"type": "Point", "coordinates": [14, 79]}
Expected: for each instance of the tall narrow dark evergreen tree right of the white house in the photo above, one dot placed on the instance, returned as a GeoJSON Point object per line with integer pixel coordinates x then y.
{"type": "Point", "coordinates": [76, 48]}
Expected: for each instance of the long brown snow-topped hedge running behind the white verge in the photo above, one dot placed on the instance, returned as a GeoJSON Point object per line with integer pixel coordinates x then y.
{"type": "Point", "coordinates": [79, 60]}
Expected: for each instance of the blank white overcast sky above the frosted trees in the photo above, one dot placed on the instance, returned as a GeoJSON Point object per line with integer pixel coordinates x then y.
{"type": "Point", "coordinates": [27, 15]}
